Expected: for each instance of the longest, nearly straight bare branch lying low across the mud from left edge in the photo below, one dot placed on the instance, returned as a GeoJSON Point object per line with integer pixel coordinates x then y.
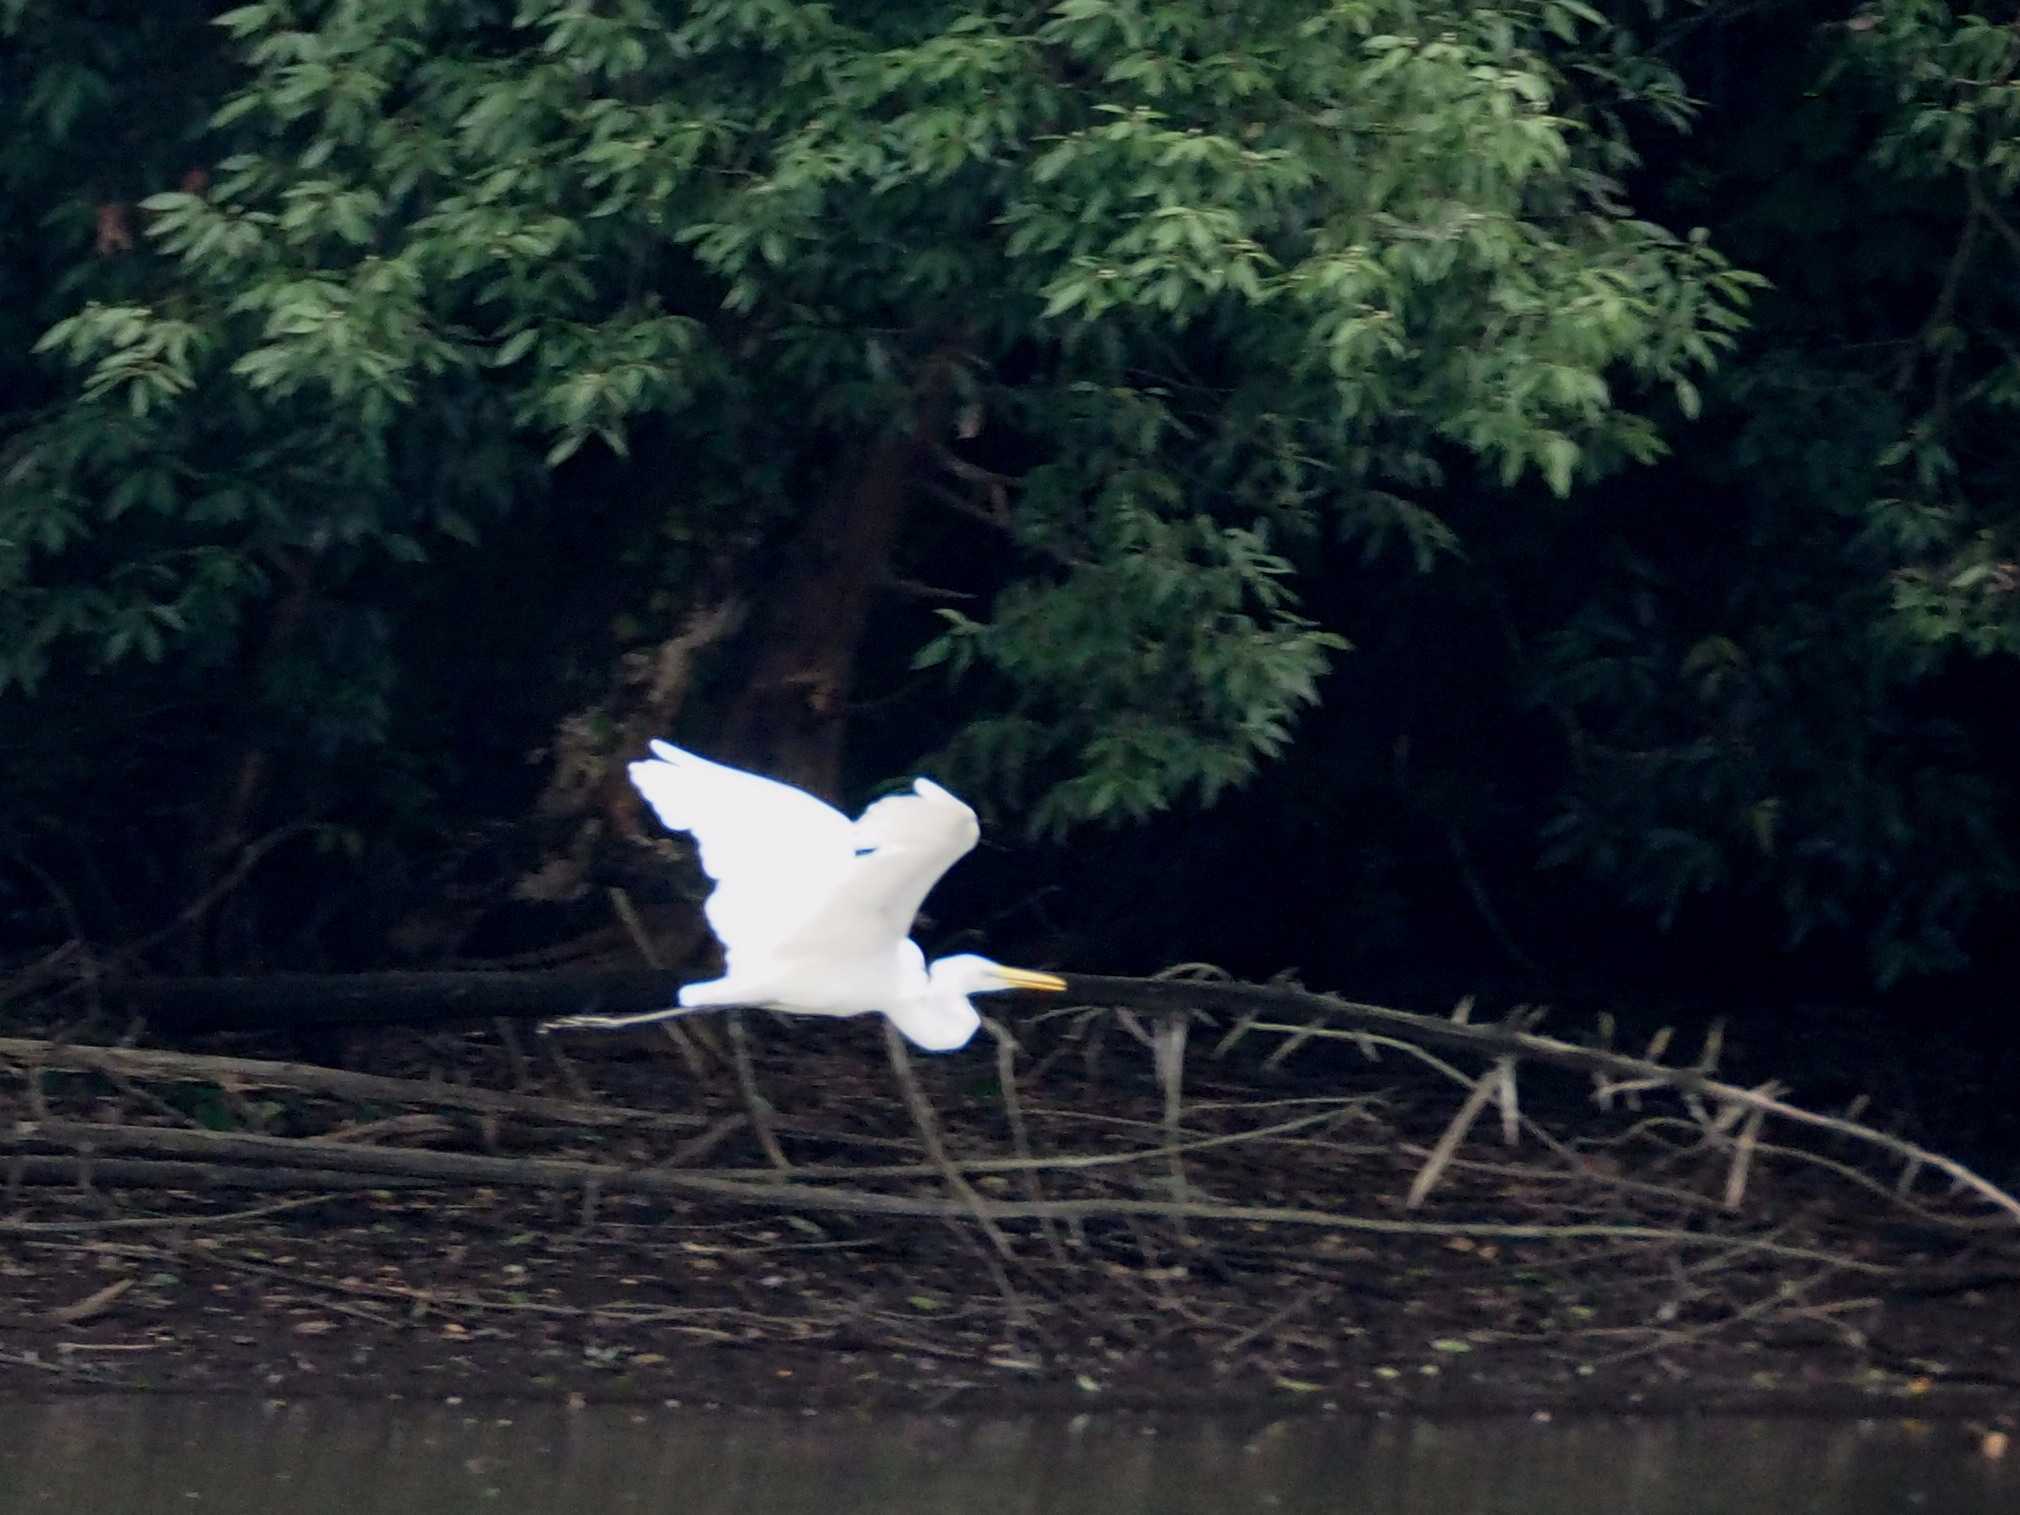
{"type": "Point", "coordinates": [554, 1175]}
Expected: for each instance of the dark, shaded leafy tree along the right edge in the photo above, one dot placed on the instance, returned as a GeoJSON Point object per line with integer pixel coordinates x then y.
{"type": "Point", "coordinates": [1785, 684]}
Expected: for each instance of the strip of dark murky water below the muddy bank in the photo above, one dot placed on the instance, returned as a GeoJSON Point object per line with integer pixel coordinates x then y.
{"type": "Point", "coordinates": [142, 1455]}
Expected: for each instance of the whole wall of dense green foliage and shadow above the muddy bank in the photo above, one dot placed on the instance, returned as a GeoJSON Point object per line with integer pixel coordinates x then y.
{"type": "Point", "coordinates": [403, 369]}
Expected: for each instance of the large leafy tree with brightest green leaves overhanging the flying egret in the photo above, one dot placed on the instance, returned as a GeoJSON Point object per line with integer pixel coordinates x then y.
{"type": "Point", "coordinates": [1110, 316]}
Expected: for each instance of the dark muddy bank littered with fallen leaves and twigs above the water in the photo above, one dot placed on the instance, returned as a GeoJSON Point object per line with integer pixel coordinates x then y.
{"type": "Point", "coordinates": [1595, 1266]}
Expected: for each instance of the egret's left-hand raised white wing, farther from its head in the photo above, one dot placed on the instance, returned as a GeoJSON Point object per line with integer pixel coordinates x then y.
{"type": "Point", "coordinates": [777, 853]}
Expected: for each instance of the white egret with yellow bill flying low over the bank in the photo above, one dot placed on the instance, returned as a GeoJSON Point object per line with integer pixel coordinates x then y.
{"type": "Point", "coordinates": [815, 910]}
